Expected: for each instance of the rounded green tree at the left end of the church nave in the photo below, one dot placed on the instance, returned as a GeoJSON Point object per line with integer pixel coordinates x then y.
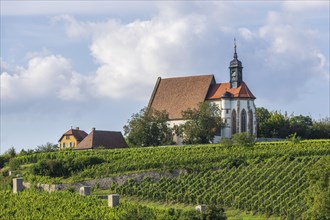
{"type": "Point", "coordinates": [149, 127]}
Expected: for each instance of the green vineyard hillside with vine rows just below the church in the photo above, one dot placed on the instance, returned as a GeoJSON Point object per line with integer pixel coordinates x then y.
{"type": "Point", "coordinates": [278, 178]}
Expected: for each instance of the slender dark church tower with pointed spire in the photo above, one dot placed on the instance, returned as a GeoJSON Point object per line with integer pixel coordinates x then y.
{"type": "Point", "coordinates": [235, 69]}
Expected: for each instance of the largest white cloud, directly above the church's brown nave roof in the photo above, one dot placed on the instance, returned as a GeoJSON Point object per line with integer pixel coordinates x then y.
{"type": "Point", "coordinates": [133, 55]}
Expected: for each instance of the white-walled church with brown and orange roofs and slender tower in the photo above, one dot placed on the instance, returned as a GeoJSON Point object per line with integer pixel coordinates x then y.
{"type": "Point", "coordinates": [234, 99]}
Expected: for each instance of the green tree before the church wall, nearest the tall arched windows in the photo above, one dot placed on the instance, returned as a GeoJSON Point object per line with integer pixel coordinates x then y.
{"type": "Point", "coordinates": [201, 123]}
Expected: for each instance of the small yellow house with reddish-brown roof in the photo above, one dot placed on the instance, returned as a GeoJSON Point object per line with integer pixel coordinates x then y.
{"type": "Point", "coordinates": [71, 138]}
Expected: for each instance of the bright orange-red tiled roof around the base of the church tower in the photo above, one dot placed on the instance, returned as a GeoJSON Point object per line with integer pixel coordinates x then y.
{"type": "Point", "coordinates": [216, 91]}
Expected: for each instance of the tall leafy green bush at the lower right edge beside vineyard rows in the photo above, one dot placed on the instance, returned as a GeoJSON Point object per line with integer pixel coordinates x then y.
{"type": "Point", "coordinates": [318, 194]}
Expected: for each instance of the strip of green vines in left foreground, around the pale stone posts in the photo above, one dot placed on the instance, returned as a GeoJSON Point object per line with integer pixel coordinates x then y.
{"type": "Point", "coordinates": [32, 204]}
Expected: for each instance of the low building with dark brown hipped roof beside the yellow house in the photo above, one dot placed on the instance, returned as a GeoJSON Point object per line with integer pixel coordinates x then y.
{"type": "Point", "coordinates": [102, 139]}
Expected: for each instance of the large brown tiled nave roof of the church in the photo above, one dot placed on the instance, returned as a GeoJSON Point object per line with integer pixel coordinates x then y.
{"type": "Point", "coordinates": [180, 93]}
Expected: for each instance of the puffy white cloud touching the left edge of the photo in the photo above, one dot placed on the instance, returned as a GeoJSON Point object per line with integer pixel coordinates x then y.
{"type": "Point", "coordinates": [49, 76]}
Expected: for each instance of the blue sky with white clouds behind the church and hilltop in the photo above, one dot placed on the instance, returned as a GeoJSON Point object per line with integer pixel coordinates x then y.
{"type": "Point", "coordinates": [94, 63]}
